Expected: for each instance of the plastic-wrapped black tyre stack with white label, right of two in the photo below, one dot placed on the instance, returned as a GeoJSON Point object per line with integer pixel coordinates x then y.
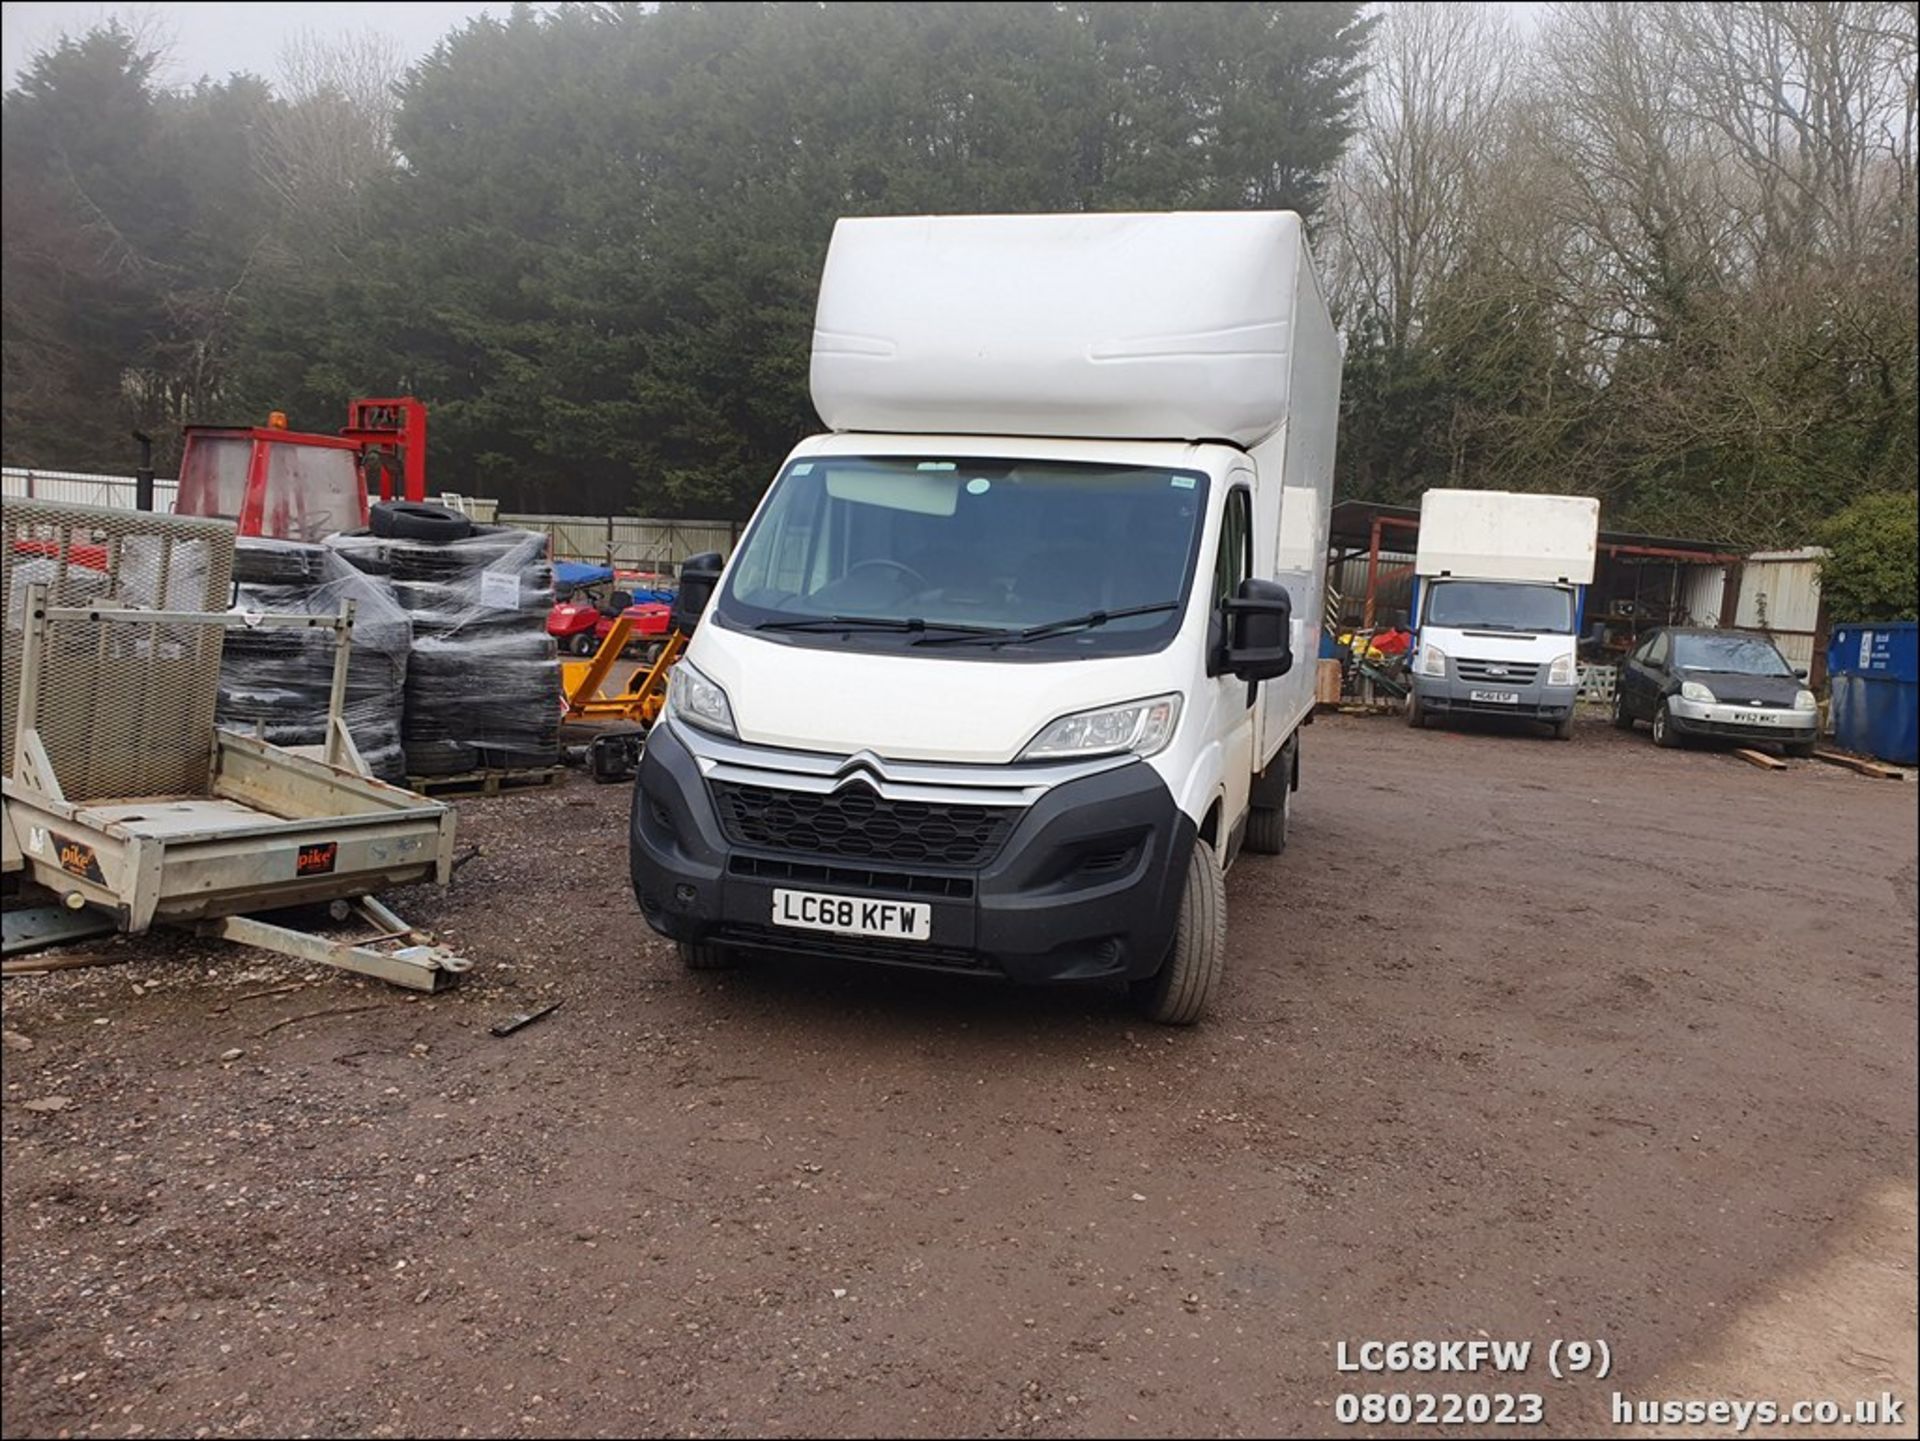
{"type": "Point", "coordinates": [483, 676]}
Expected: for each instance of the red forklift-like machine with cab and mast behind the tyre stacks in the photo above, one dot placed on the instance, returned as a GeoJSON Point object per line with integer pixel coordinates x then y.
{"type": "Point", "coordinates": [300, 486]}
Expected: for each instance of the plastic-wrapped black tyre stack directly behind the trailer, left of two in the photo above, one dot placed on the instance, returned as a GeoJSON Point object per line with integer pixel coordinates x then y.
{"type": "Point", "coordinates": [279, 682]}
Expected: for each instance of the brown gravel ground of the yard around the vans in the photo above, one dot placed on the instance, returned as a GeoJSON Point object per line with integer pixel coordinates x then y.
{"type": "Point", "coordinates": [1520, 1041]}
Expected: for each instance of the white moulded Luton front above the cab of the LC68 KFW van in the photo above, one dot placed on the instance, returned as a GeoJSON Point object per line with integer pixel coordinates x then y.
{"type": "Point", "coordinates": [1120, 327]}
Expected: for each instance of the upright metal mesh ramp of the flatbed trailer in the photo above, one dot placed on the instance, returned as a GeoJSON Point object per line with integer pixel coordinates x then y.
{"type": "Point", "coordinates": [126, 709]}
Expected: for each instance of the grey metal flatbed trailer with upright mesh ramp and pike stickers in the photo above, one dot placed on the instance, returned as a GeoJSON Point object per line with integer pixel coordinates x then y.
{"type": "Point", "coordinates": [124, 799]}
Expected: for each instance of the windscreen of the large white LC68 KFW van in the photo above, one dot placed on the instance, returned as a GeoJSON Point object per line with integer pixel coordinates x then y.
{"type": "Point", "coordinates": [974, 557]}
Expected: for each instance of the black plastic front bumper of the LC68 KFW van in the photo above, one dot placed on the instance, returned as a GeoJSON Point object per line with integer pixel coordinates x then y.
{"type": "Point", "coordinates": [1086, 887]}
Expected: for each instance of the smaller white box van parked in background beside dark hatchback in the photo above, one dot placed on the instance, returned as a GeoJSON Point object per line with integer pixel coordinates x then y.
{"type": "Point", "coordinates": [1500, 588]}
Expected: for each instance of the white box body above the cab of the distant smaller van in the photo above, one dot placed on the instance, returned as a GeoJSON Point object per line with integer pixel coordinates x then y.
{"type": "Point", "coordinates": [1508, 536]}
